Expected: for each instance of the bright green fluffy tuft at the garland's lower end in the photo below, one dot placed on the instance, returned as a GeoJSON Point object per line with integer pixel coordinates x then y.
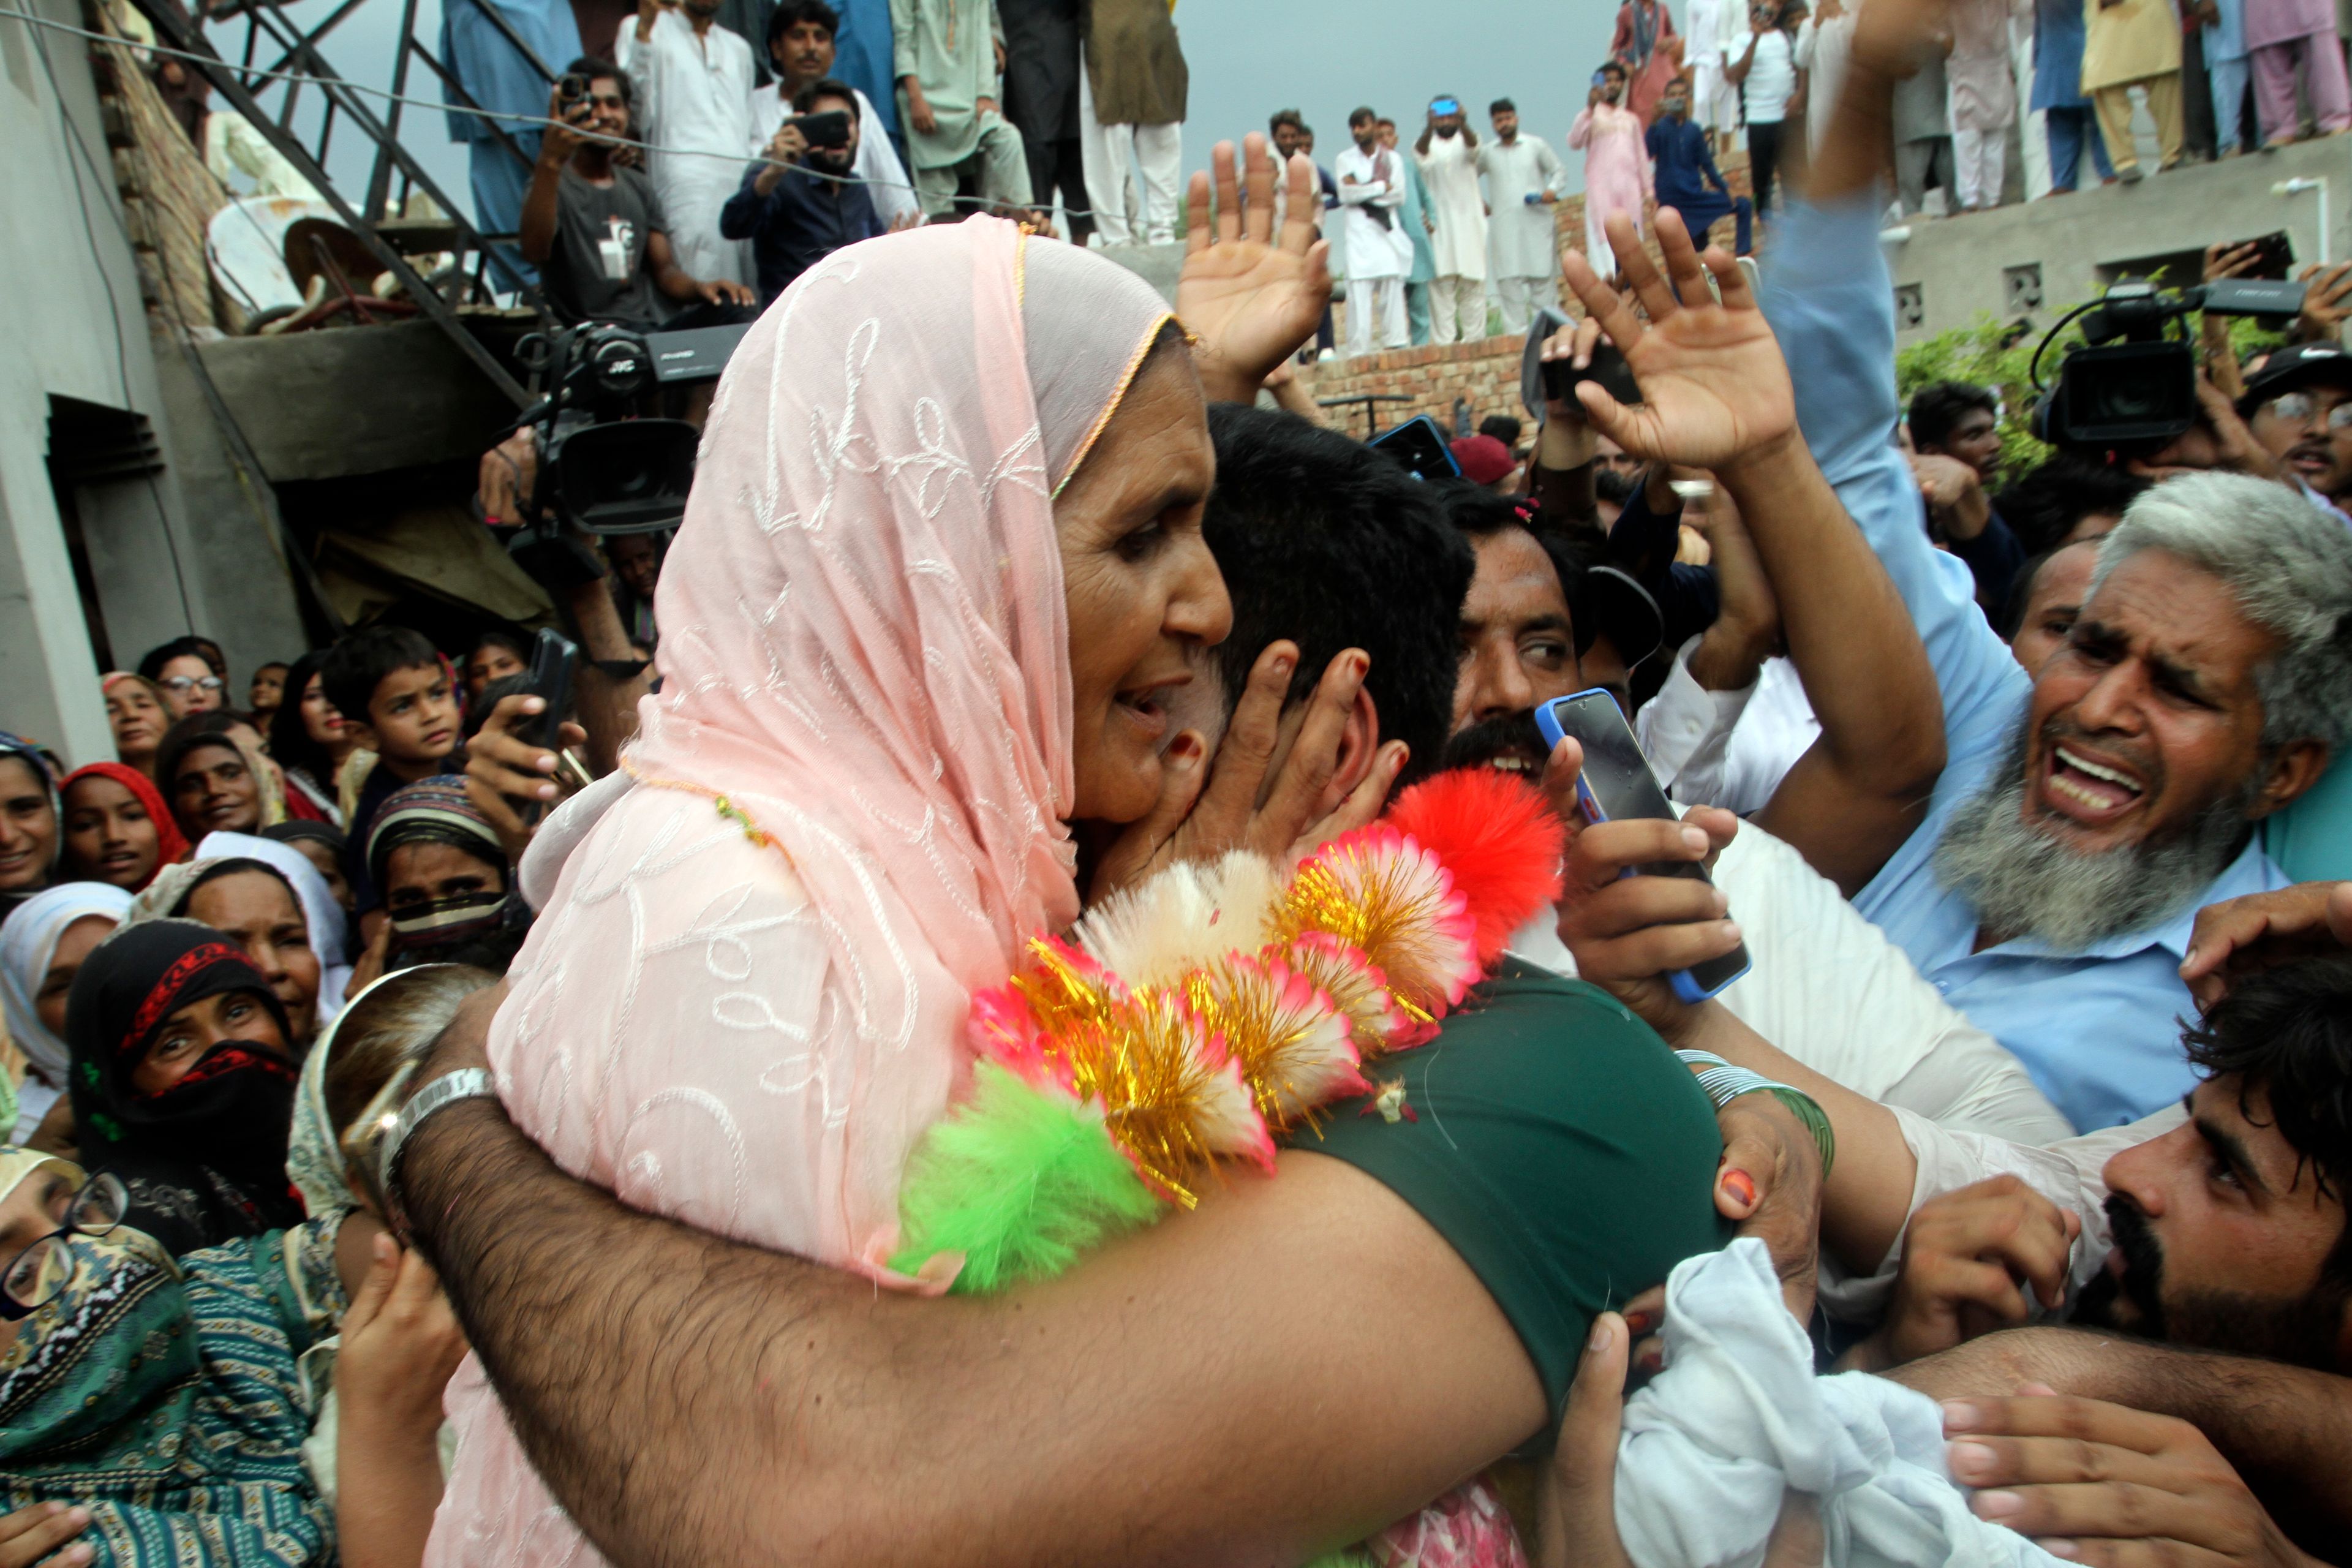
{"type": "Point", "coordinates": [1020, 1181]}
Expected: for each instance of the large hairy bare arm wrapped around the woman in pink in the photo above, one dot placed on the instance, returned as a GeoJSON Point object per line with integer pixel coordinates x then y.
{"type": "Point", "coordinates": [1276, 1374]}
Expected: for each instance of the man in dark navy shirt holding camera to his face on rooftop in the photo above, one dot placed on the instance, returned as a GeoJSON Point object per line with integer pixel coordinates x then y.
{"type": "Point", "coordinates": [799, 203]}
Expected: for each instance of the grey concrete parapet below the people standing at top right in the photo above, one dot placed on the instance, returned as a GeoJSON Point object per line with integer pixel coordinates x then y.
{"type": "Point", "coordinates": [1967, 267]}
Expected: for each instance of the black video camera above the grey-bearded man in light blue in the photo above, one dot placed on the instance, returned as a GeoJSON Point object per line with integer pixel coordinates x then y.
{"type": "Point", "coordinates": [2132, 384]}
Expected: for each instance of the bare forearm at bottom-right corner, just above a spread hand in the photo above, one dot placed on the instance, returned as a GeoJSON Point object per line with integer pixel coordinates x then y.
{"type": "Point", "coordinates": [2285, 1428]}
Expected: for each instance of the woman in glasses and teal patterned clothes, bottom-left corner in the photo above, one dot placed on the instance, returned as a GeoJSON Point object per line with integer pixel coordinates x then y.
{"type": "Point", "coordinates": [152, 1412]}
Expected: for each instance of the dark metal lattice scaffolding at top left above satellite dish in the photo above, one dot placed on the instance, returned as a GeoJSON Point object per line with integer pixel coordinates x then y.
{"type": "Point", "coordinates": [394, 173]}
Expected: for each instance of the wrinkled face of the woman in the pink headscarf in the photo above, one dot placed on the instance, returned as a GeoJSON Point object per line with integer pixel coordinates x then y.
{"type": "Point", "coordinates": [1142, 584]}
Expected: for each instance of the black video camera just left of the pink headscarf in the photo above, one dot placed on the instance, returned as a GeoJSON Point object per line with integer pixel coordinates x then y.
{"type": "Point", "coordinates": [603, 469]}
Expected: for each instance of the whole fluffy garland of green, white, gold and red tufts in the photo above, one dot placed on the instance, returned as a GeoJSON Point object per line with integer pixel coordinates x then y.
{"type": "Point", "coordinates": [1201, 1017]}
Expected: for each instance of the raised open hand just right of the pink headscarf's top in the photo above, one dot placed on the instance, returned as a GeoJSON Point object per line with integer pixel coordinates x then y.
{"type": "Point", "coordinates": [1250, 297]}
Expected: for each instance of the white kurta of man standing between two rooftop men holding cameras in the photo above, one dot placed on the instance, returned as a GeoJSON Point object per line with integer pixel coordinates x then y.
{"type": "Point", "coordinates": [695, 107]}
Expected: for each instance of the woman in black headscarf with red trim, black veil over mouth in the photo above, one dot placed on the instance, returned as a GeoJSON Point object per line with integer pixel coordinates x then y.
{"type": "Point", "coordinates": [182, 1078]}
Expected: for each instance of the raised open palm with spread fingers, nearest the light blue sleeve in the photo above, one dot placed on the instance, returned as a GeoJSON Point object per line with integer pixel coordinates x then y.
{"type": "Point", "coordinates": [1713, 382]}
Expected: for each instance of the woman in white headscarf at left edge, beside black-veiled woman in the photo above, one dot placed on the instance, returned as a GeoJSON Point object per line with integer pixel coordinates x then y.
{"type": "Point", "coordinates": [41, 951]}
